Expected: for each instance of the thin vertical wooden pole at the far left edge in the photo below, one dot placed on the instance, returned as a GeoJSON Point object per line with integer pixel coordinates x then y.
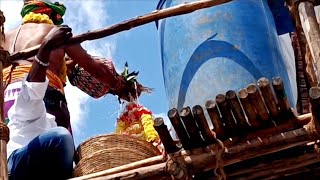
{"type": "Point", "coordinates": [4, 130]}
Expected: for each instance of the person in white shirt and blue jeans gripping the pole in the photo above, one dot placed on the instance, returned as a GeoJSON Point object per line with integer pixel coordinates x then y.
{"type": "Point", "coordinates": [38, 149]}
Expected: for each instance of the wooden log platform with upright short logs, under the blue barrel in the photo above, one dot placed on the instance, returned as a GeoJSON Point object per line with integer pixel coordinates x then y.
{"type": "Point", "coordinates": [265, 140]}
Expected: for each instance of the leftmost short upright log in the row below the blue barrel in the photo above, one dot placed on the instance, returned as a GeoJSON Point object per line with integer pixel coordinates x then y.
{"type": "Point", "coordinates": [166, 139]}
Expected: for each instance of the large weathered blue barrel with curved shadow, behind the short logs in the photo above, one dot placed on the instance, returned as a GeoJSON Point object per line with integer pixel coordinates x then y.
{"type": "Point", "coordinates": [217, 49]}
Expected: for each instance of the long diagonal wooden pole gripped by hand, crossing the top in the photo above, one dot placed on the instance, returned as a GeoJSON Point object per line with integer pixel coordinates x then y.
{"type": "Point", "coordinates": [128, 24]}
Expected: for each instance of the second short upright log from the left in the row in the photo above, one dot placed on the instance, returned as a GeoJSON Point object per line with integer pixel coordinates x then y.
{"type": "Point", "coordinates": [176, 122]}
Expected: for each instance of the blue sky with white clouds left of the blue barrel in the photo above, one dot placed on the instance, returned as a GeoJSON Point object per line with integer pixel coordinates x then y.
{"type": "Point", "coordinates": [139, 47]}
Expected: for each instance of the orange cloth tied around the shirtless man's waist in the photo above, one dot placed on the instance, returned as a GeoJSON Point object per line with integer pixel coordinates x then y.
{"type": "Point", "coordinates": [19, 72]}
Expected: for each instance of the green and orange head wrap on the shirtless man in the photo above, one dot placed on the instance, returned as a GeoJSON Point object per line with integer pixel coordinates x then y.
{"type": "Point", "coordinates": [54, 10]}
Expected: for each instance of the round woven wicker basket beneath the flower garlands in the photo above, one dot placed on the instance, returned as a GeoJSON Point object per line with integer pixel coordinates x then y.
{"type": "Point", "coordinates": [108, 151]}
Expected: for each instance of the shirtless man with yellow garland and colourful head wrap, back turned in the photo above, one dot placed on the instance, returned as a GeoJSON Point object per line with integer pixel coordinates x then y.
{"type": "Point", "coordinates": [41, 18]}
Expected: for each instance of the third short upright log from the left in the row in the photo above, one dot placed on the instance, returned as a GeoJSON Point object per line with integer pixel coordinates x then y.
{"type": "Point", "coordinates": [191, 127]}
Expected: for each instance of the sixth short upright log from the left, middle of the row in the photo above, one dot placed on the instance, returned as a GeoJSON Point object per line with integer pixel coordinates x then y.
{"type": "Point", "coordinates": [230, 124]}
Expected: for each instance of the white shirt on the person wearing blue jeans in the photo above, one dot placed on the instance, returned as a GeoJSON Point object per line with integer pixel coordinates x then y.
{"type": "Point", "coordinates": [28, 117]}
